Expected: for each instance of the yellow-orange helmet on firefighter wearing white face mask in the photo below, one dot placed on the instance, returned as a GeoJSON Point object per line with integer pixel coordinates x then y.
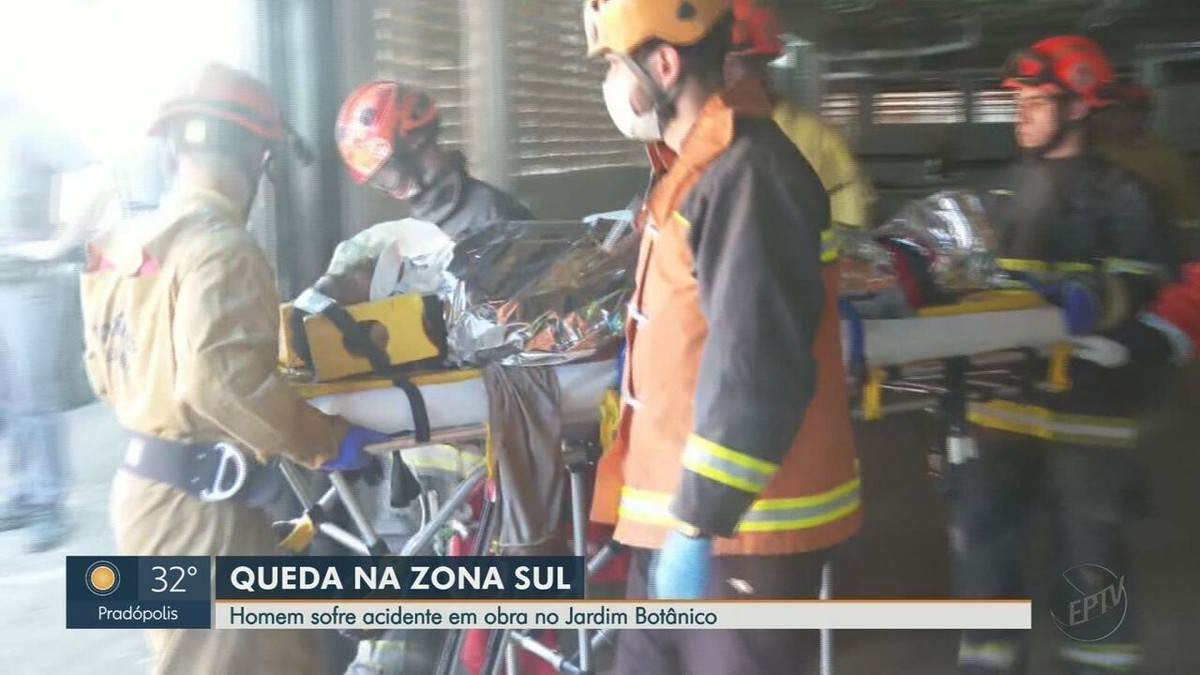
{"type": "Point", "coordinates": [625, 26]}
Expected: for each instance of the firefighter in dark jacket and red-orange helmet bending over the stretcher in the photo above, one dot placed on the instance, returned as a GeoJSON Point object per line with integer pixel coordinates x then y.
{"type": "Point", "coordinates": [388, 136]}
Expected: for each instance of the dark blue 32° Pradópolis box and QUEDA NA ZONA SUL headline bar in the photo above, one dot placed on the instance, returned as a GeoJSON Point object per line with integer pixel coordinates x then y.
{"type": "Point", "coordinates": [179, 593]}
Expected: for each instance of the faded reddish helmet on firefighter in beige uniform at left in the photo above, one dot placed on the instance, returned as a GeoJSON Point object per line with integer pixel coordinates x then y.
{"type": "Point", "coordinates": [227, 94]}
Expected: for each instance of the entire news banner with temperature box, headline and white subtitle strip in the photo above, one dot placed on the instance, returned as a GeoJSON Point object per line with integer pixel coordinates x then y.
{"type": "Point", "coordinates": [441, 593]}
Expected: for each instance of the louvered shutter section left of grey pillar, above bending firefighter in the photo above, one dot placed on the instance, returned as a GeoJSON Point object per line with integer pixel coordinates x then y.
{"type": "Point", "coordinates": [418, 43]}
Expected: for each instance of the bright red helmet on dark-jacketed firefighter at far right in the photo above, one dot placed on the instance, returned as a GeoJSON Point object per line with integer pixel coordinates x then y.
{"type": "Point", "coordinates": [1064, 64]}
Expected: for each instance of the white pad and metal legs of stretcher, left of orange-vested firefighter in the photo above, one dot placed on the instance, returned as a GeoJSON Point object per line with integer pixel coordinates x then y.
{"type": "Point", "coordinates": [458, 410]}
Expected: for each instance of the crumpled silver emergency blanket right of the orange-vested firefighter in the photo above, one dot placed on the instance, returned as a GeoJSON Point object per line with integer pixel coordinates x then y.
{"type": "Point", "coordinates": [953, 229]}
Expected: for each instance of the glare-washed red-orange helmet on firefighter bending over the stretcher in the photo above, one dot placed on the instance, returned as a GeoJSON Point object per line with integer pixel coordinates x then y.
{"type": "Point", "coordinates": [377, 117]}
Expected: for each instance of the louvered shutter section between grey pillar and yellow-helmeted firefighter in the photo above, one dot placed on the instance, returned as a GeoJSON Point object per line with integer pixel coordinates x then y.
{"type": "Point", "coordinates": [560, 116]}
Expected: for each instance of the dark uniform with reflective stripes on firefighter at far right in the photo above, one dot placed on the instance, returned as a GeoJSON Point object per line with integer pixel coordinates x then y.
{"type": "Point", "coordinates": [1083, 220]}
